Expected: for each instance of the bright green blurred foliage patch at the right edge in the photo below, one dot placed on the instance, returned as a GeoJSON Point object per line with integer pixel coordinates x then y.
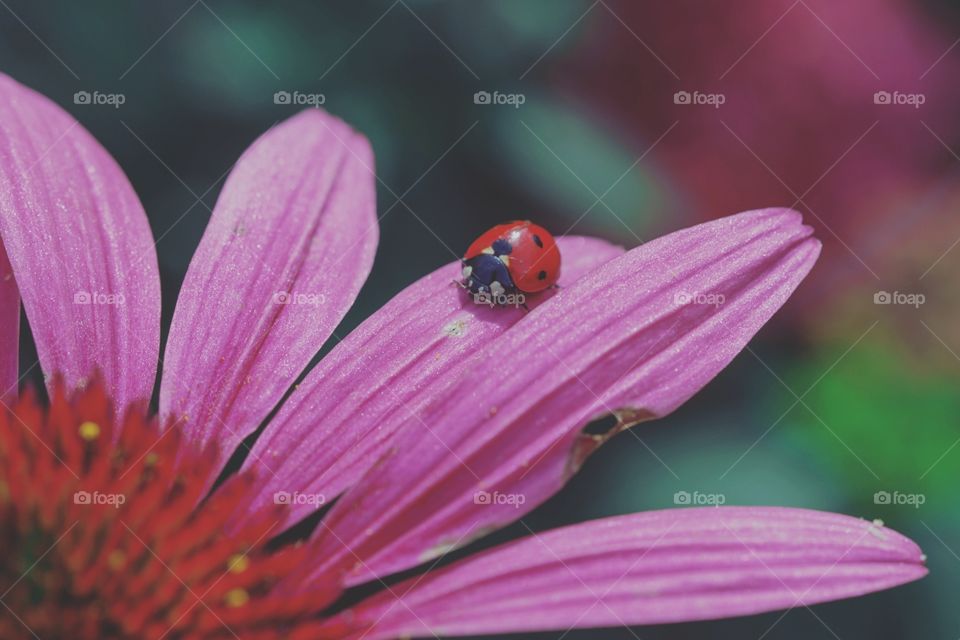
{"type": "Point", "coordinates": [880, 423]}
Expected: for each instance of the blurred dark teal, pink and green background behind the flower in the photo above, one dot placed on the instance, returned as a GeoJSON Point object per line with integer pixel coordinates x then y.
{"type": "Point", "coordinates": [626, 120]}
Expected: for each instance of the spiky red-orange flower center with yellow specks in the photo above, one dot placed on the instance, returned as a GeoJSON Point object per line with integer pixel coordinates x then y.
{"type": "Point", "coordinates": [106, 533]}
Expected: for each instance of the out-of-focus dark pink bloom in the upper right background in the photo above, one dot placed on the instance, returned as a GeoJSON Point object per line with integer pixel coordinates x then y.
{"type": "Point", "coordinates": [799, 125]}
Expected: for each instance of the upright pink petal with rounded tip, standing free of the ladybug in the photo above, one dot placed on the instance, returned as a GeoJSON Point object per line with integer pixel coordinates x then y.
{"type": "Point", "coordinates": [290, 243]}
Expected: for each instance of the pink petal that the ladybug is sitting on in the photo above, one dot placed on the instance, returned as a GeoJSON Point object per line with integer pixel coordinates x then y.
{"type": "Point", "coordinates": [338, 421]}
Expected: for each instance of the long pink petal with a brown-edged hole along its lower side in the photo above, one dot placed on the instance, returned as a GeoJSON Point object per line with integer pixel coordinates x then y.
{"type": "Point", "coordinates": [624, 338]}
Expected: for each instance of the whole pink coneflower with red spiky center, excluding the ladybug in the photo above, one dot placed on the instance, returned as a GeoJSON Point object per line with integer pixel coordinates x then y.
{"type": "Point", "coordinates": [435, 422]}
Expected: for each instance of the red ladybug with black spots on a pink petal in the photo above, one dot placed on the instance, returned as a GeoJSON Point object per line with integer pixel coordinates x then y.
{"type": "Point", "coordinates": [515, 257]}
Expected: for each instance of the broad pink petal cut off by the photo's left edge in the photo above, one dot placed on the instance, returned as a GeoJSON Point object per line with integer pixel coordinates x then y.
{"type": "Point", "coordinates": [80, 246]}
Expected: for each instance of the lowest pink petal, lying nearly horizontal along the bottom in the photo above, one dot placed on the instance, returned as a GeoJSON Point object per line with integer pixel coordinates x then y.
{"type": "Point", "coordinates": [651, 568]}
